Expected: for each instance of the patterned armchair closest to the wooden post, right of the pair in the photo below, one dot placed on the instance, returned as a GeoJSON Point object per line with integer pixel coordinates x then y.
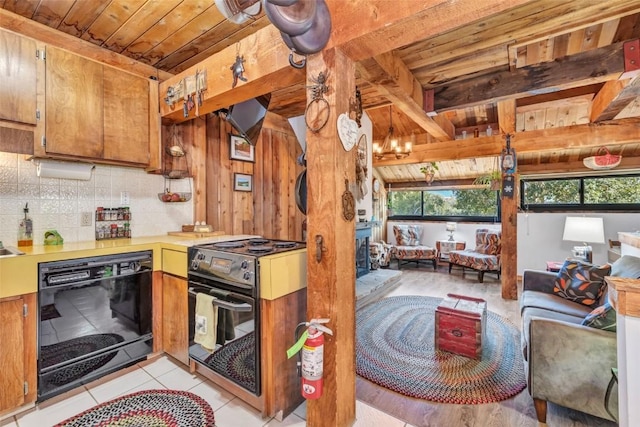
{"type": "Point", "coordinates": [485, 257]}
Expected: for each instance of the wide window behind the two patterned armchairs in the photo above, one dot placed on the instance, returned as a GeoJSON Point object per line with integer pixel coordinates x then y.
{"type": "Point", "coordinates": [471, 204]}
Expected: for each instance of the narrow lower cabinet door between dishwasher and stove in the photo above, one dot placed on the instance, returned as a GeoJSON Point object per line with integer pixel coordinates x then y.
{"type": "Point", "coordinates": [175, 324]}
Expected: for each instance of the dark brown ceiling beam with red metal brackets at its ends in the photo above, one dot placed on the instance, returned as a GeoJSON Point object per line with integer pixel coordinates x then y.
{"type": "Point", "coordinates": [594, 66]}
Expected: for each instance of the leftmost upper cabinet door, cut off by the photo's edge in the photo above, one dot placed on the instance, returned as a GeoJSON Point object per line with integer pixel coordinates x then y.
{"type": "Point", "coordinates": [17, 78]}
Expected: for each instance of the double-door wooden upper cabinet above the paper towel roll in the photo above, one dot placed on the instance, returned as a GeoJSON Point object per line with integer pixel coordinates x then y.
{"type": "Point", "coordinates": [97, 112]}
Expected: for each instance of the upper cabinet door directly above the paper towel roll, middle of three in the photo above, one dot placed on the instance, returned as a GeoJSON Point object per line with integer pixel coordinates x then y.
{"type": "Point", "coordinates": [74, 103]}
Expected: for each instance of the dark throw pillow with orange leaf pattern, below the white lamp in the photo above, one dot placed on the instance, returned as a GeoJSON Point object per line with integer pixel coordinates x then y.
{"type": "Point", "coordinates": [581, 282]}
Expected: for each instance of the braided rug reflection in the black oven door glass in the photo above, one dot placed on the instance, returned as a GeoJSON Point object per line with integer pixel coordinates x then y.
{"type": "Point", "coordinates": [236, 361]}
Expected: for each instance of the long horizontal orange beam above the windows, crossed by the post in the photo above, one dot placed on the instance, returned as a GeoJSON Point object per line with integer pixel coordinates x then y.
{"type": "Point", "coordinates": [536, 141]}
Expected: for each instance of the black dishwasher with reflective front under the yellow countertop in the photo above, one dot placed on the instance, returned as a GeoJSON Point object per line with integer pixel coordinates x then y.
{"type": "Point", "coordinates": [94, 317]}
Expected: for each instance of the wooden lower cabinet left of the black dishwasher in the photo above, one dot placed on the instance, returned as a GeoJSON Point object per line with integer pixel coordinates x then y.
{"type": "Point", "coordinates": [18, 351]}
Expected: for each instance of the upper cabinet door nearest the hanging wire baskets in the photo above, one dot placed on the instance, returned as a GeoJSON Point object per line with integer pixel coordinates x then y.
{"type": "Point", "coordinates": [126, 117]}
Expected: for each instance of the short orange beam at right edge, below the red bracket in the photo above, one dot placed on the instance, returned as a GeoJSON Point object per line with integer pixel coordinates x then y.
{"type": "Point", "coordinates": [614, 96]}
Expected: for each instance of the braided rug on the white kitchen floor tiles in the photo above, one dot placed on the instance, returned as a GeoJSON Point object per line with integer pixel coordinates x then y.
{"type": "Point", "coordinates": [148, 408]}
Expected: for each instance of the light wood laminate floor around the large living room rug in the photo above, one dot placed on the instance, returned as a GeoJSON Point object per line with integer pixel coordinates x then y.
{"type": "Point", "coordinates": [516, 411]}
